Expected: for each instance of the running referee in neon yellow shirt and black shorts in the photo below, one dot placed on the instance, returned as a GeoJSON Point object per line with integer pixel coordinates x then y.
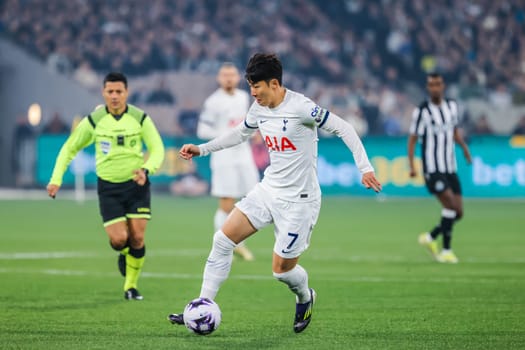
{"type": "Point", "coordinates": [118, 131]}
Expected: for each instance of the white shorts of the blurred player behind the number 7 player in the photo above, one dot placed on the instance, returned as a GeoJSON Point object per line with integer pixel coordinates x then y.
{"type": "Point", "coordinates": [234, 180]}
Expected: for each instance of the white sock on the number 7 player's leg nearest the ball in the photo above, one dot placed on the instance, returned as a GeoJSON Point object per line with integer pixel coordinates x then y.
{"type": "Point", "coordinates": [217, 266]}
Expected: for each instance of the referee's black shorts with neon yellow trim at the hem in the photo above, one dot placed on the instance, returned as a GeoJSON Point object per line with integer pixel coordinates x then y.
{"type": "Point", "coordinates": [122, 201]}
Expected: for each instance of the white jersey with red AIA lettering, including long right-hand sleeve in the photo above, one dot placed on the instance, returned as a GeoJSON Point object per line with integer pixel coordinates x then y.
{"type": "Point", "coordinates": [290, 132]}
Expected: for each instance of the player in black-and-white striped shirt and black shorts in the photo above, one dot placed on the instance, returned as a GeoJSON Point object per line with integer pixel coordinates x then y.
{"type": "Point", "coordinates": [435, 123]}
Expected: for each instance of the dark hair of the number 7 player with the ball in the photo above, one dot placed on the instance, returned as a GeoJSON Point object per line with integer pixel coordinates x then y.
{"type": "Point", "coordinates": [264, 67]}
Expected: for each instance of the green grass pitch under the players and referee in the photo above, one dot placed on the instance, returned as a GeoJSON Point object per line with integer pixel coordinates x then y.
{"type": "Point", "coordinates": [377, 289]}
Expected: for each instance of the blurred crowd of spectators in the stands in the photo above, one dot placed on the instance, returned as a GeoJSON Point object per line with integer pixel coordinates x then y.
{"type": "Point", "coordinates": [364, 59]}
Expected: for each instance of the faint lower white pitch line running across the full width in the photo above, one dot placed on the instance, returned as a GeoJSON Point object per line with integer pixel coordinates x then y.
{"type": "Point", "coordinates": [356, 279]}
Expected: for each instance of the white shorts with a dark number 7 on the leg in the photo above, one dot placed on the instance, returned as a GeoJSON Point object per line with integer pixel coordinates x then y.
{"type": "Point", "coordinates": [293, 221]}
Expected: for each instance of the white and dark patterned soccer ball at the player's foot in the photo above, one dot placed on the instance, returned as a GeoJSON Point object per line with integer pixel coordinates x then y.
{"type": "Point", "coordinates": [202, 316]}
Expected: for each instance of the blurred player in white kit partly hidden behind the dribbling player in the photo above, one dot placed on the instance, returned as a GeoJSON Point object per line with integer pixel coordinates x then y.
{"type": "Point", "coordinates": [233, 170]}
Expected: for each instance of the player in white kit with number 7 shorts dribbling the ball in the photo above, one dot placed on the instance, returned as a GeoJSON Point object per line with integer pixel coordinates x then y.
{"type": "Point", "coordinates": [289, 195]}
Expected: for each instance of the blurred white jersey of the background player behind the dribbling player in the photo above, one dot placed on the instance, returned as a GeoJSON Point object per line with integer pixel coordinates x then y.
{"type": "Point", "coordinates": [221, 113]}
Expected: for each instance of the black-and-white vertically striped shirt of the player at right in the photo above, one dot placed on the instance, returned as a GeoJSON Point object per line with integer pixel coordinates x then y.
{"type": "Point", "coordinates": [435, 125]}
